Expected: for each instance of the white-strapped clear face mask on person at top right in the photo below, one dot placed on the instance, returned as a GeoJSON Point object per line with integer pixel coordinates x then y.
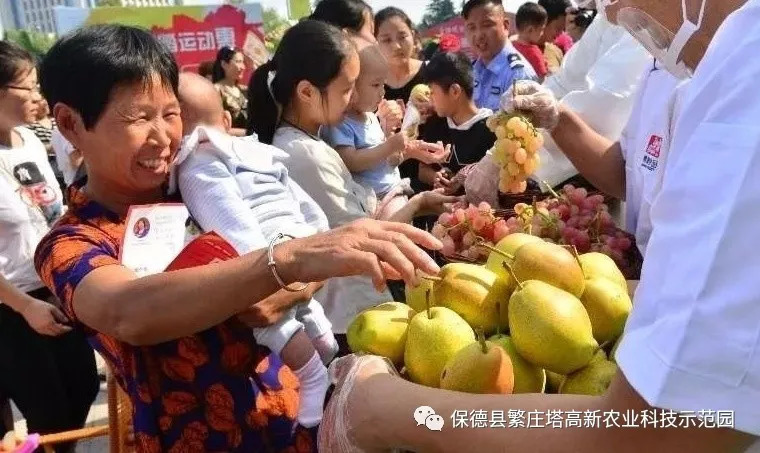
{"type": "Point", "coordinates": [660, 42]}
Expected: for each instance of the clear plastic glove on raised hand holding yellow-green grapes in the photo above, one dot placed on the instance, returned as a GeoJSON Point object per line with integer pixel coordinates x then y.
{"type": "Point", "coordinates": [533, 99]}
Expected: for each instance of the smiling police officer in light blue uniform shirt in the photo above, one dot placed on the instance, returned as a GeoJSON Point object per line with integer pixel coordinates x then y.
{"type": "Point", "coordinates": [498, 63]}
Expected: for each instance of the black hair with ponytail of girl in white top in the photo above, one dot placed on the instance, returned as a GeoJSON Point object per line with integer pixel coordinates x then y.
{"type": "Point", "coordinates": [310, 50]}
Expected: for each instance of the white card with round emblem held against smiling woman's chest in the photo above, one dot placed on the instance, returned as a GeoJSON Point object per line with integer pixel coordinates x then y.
{"type": "Point", "coordinates": [154, 236]}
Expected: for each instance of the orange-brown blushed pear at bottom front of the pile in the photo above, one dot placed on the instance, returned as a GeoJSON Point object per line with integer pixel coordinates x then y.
{"type": "Point", "coordinates": [481, 367]}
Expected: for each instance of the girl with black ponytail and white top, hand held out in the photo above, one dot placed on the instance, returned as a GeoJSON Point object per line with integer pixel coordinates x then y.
{"type": "Point", "coordinates": [308, 84]}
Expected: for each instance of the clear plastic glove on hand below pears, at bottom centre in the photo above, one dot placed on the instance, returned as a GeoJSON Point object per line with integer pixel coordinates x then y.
{"type": "Point", "coordinates": [335, 432]}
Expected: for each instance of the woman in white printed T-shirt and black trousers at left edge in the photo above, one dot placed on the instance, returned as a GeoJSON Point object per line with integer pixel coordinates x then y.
{"type": "Point", "coordinates": [46, 368]}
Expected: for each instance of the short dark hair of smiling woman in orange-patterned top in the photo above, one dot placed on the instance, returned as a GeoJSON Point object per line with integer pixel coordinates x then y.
{"type": "Point", "coordinates": [82, 69]}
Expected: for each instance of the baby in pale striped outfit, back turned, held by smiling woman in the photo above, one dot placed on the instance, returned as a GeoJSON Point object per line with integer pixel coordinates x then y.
{"type": "Point", "coordinates": [234, 187]}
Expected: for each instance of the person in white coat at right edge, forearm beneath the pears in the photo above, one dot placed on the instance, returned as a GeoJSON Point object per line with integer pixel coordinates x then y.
{"type": "Point", "coordinates": [691, 342]}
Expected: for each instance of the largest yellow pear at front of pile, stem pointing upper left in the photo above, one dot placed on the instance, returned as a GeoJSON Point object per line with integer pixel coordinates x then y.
{"type": "Point", "coordinates": [550, 328]}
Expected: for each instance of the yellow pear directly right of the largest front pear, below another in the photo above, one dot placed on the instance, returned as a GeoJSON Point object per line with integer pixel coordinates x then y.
{"type": "Point", "coordinates": [608, 306]}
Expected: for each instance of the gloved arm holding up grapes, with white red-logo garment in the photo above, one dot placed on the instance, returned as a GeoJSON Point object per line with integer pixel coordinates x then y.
{"type": "Point", "coordinates": [629, 169]}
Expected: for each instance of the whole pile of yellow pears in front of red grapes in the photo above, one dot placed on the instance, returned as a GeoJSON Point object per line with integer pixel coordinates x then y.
{"type": "Point", "coordinates": [546, 312]}
